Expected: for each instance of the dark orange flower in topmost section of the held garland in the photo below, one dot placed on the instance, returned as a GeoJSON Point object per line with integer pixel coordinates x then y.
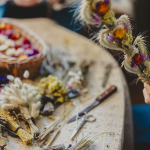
{"type": "Point", "coordinates": [103, 8]}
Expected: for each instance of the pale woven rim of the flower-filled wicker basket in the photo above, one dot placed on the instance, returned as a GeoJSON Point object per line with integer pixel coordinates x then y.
{"type": "Point", "coordinates": [13, 60]}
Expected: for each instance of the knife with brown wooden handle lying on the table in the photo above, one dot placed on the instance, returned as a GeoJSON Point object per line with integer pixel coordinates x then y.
{"type": "Point", "coordinates": [98, 100]}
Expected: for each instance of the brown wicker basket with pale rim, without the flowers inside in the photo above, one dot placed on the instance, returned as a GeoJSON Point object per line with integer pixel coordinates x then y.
{"type": "Point", "coordinates": [17, 66]}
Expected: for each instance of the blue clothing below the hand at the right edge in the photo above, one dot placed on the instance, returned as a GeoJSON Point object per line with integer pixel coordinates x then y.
{"type": "Point", "coordinates": [141, 122]}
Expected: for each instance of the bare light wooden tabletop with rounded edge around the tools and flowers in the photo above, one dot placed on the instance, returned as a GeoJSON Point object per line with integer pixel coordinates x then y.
{"type": "Point", "coordinates": [111, 113]}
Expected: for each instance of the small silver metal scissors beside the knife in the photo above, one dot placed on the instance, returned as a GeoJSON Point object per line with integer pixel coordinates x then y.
{"type": "Point", "coordinates": [87, 118]}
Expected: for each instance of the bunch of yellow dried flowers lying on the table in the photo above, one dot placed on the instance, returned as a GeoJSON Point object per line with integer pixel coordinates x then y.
{"type": "Point", "coordinates": [53, 87]}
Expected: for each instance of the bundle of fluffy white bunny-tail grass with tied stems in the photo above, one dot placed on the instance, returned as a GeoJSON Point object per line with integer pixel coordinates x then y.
{"type": "Point", "coordinates": [22, 96]}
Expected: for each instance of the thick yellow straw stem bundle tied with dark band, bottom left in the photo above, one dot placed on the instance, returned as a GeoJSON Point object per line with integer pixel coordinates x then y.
{"type": "Point", "coordinates": [14, 127]}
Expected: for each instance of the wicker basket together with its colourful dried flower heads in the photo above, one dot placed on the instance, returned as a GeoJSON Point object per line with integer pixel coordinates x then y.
{"type": "Point", "coordinates": [18, 49]}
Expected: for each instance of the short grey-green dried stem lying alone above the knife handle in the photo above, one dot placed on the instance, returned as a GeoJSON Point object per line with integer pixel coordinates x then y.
{"type": "Point", "coordinates": [106, 76]}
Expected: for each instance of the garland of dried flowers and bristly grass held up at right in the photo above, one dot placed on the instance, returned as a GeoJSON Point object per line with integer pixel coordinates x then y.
{"type": "Point", "coordinates": [116, 34]}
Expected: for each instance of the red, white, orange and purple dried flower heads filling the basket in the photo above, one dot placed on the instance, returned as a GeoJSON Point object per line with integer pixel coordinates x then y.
{"type": "Point", "coordinates": [14, 44]}
